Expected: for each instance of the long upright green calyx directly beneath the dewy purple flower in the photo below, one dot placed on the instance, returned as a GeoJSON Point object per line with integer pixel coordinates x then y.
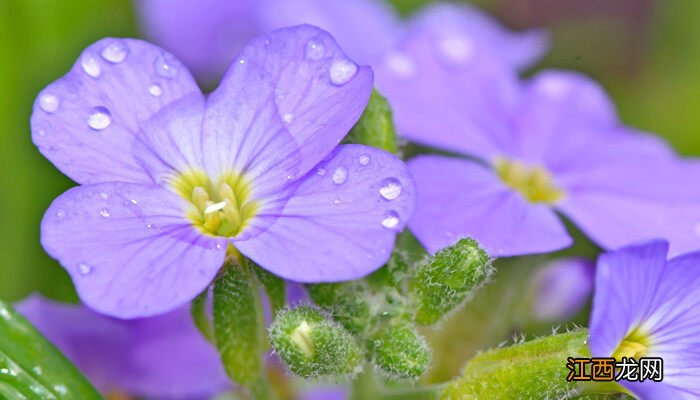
{"type": "Point", "coordinates": [239, 325]}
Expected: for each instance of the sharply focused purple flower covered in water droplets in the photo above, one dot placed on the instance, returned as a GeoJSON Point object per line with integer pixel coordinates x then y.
{"type": "Point", "coordinates": [172, 178]}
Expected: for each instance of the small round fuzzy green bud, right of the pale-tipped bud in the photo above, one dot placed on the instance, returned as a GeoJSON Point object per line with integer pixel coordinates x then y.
{"type": "Point", "coordinates": [400, 351]}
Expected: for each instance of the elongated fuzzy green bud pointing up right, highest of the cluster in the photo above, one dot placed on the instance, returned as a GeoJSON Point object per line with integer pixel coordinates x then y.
{"type": "Point", "coordinates": [448, 278]}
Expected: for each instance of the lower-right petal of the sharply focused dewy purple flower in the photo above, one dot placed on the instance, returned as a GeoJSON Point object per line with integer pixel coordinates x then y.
{"type": "Point", "coordinates": [341, 222]}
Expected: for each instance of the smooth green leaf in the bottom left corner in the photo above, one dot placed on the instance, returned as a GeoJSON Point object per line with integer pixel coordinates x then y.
{"type": "Point", "coordinates": [32, 368]}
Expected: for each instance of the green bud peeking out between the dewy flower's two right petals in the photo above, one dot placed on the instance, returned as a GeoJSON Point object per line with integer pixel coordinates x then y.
{"type": "Point", "coordinates": [376, 125]}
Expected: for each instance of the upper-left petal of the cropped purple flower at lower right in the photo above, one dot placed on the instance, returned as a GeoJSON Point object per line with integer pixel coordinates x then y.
{"type": "Point", "coordinates": [626, 281]}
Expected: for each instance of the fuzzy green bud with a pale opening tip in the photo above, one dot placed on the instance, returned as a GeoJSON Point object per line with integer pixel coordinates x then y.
{"type": "Point", "coordinates": [310, 345]}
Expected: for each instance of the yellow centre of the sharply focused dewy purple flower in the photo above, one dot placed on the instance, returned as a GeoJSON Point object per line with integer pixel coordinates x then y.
{"type": "Point", "coordinates": [221, 208]}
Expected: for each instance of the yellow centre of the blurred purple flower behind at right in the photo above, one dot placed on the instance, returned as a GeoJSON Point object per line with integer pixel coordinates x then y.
{"type": "Point", "coordinates": [534, 183]}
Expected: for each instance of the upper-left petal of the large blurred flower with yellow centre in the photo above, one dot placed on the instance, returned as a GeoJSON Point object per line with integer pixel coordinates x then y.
{"type": "Point", "coordinates": [450, 94]}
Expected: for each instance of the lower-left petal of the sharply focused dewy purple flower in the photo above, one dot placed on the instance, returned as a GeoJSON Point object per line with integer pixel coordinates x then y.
{"type": "Point", "coordinates": [129, 248]}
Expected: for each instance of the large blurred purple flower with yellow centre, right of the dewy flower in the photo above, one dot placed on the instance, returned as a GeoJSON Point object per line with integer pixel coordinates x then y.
{"type": "Point", "coordinates": [551, 144]}
